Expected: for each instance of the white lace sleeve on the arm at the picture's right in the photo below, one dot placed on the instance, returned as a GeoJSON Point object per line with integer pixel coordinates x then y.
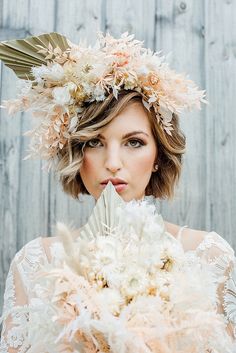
{"type": "Point", "coordinates": [220, 254]}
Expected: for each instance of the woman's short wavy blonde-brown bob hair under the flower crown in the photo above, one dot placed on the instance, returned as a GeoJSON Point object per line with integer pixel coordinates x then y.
{"type": "Point", "coordinates": [97, 115]}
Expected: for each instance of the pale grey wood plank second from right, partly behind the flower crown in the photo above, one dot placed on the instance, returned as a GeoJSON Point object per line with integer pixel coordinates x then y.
{"type": "Point", "coordinates": [179, 31]}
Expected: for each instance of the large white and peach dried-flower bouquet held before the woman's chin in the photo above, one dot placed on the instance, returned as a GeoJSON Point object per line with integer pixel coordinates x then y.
{"type": "Point", "coordinates": [125, 285]}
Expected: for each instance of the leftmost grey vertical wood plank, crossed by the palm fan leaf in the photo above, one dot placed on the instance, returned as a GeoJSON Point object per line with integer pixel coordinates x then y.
{"type": "Point", "coordinates": [10, 149]}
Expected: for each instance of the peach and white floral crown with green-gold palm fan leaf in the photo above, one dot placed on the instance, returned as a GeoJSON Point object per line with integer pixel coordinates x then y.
{"type": "Point", "coordinates": [59, 79]}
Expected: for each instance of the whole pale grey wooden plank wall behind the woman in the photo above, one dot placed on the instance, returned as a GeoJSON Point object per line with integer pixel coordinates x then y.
{"type": "Point", "coordinates": [201, 36]}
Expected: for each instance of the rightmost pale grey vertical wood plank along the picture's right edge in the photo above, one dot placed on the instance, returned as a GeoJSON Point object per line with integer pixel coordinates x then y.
{"type": "Point", "coordinates": [220, 68]}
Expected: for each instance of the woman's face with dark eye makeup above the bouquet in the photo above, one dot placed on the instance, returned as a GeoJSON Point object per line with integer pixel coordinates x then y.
{"type": "Point", "coordinates": [125, 149]}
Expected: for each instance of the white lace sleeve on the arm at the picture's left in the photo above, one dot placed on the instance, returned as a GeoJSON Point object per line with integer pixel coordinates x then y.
{"type": "Point", "coordinates": [16, 297]}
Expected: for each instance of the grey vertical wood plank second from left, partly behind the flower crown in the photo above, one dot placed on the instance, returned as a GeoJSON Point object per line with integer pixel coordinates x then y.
{"type": "Point", "coordinates": [33, 198]}
